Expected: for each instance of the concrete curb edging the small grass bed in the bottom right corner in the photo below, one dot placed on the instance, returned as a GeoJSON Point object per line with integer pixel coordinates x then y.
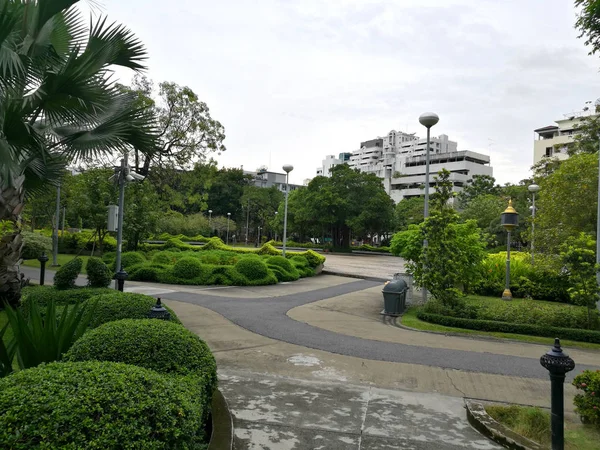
{"type": "Point", "coordinates": [483, 422]}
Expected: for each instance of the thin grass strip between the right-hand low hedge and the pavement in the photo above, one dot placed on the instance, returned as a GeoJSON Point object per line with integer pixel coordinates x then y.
{"type": "Point", "coordinates": [409, 319]}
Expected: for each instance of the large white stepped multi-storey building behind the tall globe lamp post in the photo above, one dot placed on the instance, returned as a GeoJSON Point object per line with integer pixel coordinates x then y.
{"type": "Point", "coordinates": [399, 159]}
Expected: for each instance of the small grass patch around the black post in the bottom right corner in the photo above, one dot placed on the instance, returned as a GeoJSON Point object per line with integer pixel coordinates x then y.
{"type": "Point", "coordinates": [534, 423]}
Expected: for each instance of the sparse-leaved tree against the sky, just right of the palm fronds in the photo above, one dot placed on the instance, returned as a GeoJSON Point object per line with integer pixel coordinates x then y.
{"type": "Point", "coordinates": [187, 131]}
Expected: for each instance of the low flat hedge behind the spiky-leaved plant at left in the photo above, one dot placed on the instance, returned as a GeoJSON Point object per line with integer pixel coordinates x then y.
{"type": "Point", "coordinates": [42, 295]}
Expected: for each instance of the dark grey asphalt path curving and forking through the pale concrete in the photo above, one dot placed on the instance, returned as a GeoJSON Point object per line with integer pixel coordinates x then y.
{"type": "Point", "coordinates": [268, 317]}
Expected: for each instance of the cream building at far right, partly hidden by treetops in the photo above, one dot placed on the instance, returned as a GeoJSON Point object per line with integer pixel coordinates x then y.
{"type": "Point", "coordinates": [554, 140]}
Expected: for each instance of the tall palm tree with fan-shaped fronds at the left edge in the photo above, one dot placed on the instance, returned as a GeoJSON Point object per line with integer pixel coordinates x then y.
{"type": "Point", "coordinates": [58, 103]}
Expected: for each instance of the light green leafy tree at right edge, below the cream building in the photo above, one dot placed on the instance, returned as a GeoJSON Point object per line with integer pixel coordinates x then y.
{"type": "Point", "coordinates": [567, 201]}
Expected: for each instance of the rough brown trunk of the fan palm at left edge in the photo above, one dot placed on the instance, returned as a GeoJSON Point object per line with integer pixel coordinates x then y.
{"type": "Point", "coordinates": [12, 202]}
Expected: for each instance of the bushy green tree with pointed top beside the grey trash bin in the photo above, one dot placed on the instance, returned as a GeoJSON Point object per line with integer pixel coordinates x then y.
{"type": "Point", "coordinates": [454, 251]}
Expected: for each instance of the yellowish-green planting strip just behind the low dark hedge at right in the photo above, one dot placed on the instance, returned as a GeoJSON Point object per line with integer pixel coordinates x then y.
{"type": "Point", "coordinates": [521, 311]}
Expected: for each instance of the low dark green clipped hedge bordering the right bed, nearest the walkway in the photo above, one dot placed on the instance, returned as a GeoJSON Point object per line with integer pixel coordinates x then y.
{"type": "Point", "coordinates": [505, 327]}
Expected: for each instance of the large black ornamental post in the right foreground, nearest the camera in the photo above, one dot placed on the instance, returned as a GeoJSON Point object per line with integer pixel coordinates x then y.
{"type": "Point", "coordinates": [558, 364]}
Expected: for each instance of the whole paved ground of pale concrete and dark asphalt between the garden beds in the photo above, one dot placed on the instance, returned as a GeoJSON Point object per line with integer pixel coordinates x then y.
{"type": "Point", "coordinates": [309, 365]}
